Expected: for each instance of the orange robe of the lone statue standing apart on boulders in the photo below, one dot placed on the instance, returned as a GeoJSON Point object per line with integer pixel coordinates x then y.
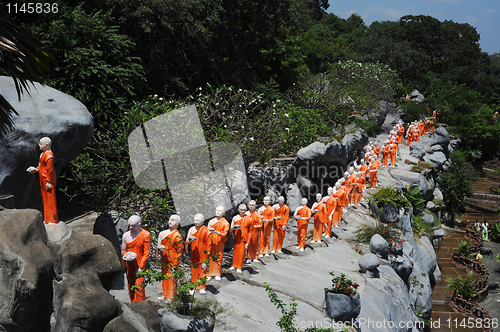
{"type": "Point", "coordinates": [47, 173]}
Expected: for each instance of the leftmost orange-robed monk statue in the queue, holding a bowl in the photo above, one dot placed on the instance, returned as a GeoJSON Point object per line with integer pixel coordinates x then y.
{"type": "Point", "coordinates": [136, 246]}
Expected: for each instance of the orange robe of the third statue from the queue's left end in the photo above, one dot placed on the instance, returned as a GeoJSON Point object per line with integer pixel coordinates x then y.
{"type": "Point", "coordinates": [199, 253]}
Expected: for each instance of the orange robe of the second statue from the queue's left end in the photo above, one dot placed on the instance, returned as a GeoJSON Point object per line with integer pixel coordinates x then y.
{"type": "Point", "coordinates": [170, 259]}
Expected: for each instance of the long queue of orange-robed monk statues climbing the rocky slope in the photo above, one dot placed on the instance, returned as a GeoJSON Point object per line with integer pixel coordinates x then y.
{"type": "Point", "coordinates": [252, 228]}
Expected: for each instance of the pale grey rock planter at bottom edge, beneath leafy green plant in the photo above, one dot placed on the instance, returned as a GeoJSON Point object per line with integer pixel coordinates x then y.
{"type": "Point", "coordinates": [171, 320]}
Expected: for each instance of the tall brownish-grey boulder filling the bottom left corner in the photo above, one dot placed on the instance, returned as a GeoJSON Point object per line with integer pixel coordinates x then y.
{"type": "Point", "coordinates": [26, 272]}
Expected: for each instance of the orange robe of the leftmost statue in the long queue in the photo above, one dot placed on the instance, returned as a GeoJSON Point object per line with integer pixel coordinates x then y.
{"type": "Point", "coordinates": [141, 245]}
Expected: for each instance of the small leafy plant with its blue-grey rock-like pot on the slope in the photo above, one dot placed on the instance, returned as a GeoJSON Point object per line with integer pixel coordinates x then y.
{"type": "Point", "coordinates": [342, 300]}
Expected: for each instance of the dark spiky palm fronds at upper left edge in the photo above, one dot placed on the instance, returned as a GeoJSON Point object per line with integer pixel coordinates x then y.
{"type": "Point", "coordinates": [23, 58]}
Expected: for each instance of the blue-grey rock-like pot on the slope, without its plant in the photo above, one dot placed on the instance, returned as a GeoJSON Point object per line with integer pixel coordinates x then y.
{"type": "Point", "coordinates": [340, 307]}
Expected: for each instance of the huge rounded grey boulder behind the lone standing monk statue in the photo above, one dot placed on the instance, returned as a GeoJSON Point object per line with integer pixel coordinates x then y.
{"type": "Point", "coordinates": [42, 112]}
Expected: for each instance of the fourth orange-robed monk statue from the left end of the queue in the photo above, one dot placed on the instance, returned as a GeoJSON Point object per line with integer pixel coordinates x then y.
{"type": "Point", "coordinates": [218, 228]}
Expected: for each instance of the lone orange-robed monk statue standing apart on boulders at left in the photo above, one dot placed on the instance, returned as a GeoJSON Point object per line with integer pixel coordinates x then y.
{"type": "Point", "coordinates": [47, 177]}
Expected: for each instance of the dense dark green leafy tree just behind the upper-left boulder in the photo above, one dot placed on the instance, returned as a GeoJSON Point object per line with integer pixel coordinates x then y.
{"type": "Point", "coordinates": [94, 63]}
